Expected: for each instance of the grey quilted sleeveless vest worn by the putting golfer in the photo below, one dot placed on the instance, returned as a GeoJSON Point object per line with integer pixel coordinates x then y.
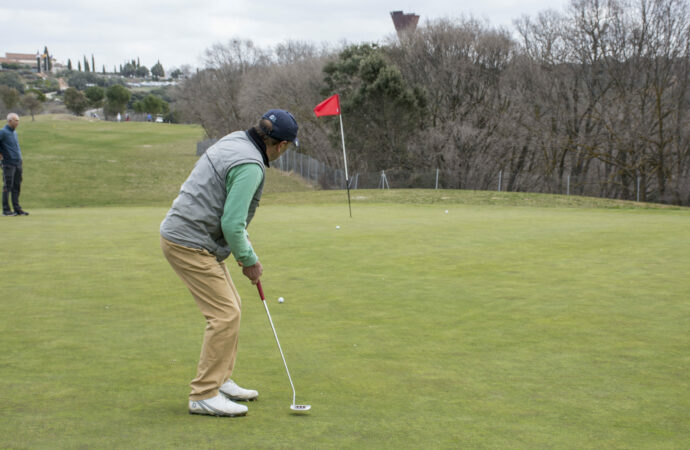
{"type": "Point", "coordinates": [194, 218]}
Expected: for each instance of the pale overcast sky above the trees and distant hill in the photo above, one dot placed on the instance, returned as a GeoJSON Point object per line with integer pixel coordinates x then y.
{"type": "Point", "coordinates": [177, 32]}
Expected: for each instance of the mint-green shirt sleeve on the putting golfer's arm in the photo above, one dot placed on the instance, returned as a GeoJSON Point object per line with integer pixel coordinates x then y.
{"type": "Point", "coordinates": [241, 184]}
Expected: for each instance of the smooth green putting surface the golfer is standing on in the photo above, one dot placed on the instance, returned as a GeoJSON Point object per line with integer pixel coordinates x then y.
{"type": "Point", "coordinates": [409, 327]}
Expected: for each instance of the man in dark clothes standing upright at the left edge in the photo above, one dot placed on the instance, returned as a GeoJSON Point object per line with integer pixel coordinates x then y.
{"type": "Point", "coordinates": [11, 167]}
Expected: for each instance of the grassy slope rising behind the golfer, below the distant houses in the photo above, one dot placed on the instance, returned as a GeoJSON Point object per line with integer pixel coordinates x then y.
{"type": "Point", "coordinates": [70, 161]}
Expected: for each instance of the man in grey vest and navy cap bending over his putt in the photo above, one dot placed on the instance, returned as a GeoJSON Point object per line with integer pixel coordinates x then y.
{"type": "Point", "coordinates": [207, 223]}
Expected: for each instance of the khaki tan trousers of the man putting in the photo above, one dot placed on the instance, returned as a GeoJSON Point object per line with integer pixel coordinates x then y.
{"type": "Point", "coordinates": [211, 286]}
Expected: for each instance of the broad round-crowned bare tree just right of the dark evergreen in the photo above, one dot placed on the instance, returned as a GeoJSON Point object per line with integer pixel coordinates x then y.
{"type": "Point", "coordinates": [459, 66]}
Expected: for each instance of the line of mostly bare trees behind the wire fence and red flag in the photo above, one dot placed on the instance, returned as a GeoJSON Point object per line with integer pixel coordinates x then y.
{"type": "Point", "coordinates": [595, 96]}
